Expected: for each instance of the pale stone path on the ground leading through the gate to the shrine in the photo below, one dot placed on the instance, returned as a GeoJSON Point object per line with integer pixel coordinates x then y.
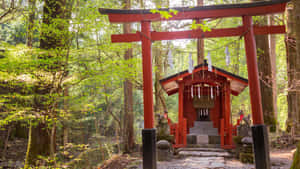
{"type": "Point", "coordinates": [280, 159]}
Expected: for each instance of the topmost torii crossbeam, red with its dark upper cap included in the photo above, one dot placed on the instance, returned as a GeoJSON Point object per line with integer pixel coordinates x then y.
{"type": "Point", "coordinates": [202, 13]}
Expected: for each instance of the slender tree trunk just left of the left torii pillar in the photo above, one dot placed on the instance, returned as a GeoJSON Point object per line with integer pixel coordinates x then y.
{"type": "Point", "coordinates": [128, 134]}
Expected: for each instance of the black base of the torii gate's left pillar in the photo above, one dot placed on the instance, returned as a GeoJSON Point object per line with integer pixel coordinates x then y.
{"type": "Point", "coordinates": [149, 148]}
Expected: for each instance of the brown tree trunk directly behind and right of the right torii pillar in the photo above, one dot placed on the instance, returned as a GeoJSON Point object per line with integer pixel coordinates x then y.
{"type": "Point", "coordinates": [265, 72]}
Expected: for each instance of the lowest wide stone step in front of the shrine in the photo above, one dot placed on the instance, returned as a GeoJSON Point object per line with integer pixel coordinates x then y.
{"type": "Point", "coordinates": [204, 154]}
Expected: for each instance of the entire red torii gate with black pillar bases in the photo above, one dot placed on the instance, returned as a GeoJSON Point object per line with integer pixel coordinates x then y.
{"type": "Point", "coordinates": [246, 11]}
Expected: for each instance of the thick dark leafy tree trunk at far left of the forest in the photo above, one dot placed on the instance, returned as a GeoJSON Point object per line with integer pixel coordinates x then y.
{"type": "Point", "coordinates": [55, 40]}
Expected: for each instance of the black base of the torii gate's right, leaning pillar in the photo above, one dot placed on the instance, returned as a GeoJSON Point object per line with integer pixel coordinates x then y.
{"type": "Point", "coordinates": [261, 147]}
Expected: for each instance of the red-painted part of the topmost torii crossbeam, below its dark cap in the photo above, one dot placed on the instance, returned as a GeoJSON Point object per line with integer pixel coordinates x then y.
{"type": "Point", "coordinates": [216, 13]}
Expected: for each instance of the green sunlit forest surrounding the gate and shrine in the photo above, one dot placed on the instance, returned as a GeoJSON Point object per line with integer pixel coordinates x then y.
{"type": "Point", "coordinates": [70, 98]}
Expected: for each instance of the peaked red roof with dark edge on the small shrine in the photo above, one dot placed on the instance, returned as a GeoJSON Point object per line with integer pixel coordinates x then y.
{"type": "Point", "coordinates": [237, 83]}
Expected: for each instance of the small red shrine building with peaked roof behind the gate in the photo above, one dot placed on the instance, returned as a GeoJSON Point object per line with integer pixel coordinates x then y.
{"type": "Point", "coordinates": [204, 106]}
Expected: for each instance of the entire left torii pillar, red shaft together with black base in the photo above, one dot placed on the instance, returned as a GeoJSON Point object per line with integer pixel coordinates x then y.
{"type": "Point", "coordinates": [149, 132]}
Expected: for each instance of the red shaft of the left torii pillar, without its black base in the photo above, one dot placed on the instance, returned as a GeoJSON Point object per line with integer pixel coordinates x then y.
{"type": "Point", "coordinates": [147, 76]}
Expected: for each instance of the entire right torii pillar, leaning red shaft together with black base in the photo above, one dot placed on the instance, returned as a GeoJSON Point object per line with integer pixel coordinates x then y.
{"type": "Point", "coordinates": [259, 131]}
